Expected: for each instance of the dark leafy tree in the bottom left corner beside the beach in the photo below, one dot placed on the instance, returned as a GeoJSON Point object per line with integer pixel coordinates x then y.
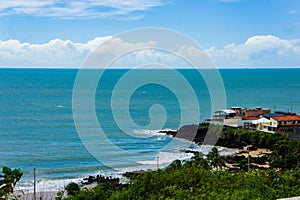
{"type": "Point", "coordinates": [8, 180]}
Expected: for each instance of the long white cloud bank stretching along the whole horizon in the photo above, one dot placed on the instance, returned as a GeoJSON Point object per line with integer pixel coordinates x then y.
{"type": "Point", "coordinates": [258, 51]}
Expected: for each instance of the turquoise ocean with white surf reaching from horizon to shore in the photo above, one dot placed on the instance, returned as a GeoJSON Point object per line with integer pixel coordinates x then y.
{"type": "Point", "coordinates": [38, 130]}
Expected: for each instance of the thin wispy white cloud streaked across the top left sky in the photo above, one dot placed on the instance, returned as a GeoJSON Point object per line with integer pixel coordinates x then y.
{"type": "Point", "coordinates": [78, 8]}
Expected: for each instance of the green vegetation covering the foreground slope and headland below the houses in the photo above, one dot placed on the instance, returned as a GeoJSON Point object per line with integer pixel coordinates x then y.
{"type": "Point", "coordinates": [195, 179]}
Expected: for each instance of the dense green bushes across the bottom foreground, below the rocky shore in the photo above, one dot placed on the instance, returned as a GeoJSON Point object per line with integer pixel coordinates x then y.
{"type": "Point", "coordinates": [195, 180]}
